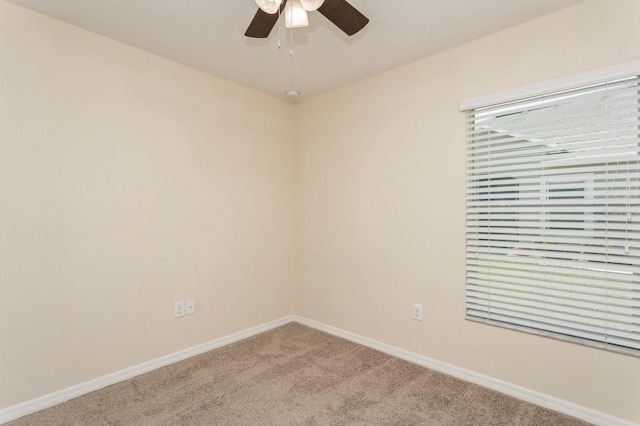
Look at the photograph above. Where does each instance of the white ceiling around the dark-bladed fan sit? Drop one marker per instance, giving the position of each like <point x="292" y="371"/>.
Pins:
<point x="209" y="35"/>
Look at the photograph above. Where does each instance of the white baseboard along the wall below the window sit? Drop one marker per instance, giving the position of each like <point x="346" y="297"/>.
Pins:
<point x="534" y="397"/>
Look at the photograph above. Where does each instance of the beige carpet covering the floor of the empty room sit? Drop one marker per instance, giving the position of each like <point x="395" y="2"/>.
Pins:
<point x="295" y="375"/>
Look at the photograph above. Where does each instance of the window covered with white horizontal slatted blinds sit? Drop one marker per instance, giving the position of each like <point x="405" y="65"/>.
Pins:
<point x="553" y="213"/>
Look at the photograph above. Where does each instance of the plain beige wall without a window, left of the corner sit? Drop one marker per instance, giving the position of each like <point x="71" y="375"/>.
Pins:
<point x="128" y="182"/>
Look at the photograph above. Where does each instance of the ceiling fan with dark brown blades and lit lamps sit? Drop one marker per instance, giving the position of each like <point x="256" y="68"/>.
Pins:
<point x="340" y="12"/>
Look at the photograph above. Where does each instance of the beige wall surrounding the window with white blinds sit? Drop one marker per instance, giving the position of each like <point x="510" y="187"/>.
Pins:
<point x="381" y="197"/>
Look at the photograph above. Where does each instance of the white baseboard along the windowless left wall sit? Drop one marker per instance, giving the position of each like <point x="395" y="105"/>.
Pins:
<point x="46" y="401"/>
